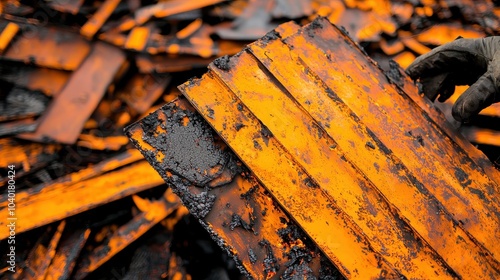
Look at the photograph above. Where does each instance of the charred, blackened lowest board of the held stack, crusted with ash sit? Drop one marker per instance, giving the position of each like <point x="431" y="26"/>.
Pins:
<point x="240" y="218"/>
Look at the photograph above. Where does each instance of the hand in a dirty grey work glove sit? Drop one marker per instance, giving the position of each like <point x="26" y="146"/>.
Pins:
<point x="474" y="62"/>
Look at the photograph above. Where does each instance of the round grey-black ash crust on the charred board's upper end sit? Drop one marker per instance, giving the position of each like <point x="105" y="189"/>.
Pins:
<point x="188" y="147"/>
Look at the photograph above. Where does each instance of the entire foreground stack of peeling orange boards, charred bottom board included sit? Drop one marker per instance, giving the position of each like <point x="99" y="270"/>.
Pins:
<point x="365" y="167"/>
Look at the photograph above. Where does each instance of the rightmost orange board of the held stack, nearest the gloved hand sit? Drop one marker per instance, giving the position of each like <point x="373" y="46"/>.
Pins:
<point x="447" y="172"/>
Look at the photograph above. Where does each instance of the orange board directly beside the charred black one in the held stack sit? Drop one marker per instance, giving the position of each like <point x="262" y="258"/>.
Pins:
<point x="286" y="181"/>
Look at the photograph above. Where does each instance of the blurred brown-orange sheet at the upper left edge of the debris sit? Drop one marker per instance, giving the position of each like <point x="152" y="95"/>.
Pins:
<point x="48" y="47"/>
